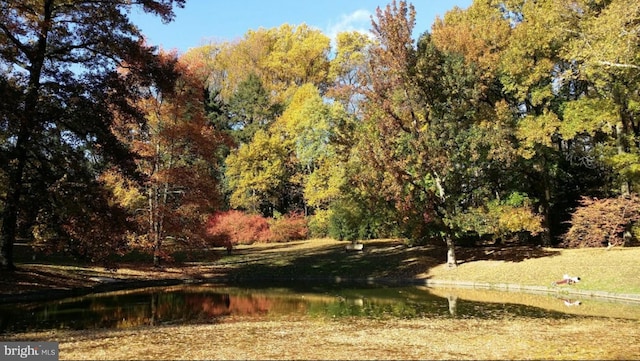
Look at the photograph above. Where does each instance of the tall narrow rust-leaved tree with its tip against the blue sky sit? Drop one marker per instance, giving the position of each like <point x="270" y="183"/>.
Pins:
<point x="399" y="115"/>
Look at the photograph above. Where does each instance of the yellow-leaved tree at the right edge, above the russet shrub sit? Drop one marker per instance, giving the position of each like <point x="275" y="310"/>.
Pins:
<point x="606" y="50"/>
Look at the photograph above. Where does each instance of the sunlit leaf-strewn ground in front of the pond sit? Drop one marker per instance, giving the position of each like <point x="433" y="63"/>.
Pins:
<point x="325" y="339"/>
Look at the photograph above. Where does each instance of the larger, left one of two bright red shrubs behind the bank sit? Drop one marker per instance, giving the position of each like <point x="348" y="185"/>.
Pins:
<point x="235" y="227"/>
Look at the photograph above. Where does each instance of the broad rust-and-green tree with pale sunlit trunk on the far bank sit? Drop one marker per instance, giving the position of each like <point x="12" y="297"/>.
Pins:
<point x="430" y="132"/>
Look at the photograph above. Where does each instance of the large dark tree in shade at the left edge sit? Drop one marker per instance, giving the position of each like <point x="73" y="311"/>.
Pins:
<point x="59" y="60"/>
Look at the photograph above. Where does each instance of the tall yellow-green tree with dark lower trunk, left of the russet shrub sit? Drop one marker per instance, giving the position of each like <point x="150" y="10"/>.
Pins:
<point x="529" y="70"/>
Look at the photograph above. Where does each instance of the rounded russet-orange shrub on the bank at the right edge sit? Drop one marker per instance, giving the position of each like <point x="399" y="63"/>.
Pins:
<point x="600" y="222"/>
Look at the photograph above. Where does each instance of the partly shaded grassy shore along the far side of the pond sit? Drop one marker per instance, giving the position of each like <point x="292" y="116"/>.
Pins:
<point x="607" y="275"/>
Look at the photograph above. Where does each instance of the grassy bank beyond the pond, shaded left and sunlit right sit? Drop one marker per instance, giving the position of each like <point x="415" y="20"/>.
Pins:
<point x="612" y="271"/>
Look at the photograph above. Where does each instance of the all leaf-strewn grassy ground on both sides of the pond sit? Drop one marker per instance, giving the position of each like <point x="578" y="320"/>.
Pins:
<point x="615" y="271"/>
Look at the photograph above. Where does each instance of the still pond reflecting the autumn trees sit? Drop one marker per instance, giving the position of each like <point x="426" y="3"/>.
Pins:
<point x="209" y="303"/>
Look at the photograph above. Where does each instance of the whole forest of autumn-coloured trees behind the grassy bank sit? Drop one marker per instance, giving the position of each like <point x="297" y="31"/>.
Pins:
<point x="508" y="121"/>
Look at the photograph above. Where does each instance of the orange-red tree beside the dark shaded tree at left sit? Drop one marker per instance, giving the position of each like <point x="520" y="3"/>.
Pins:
<point x="177" y="154"/>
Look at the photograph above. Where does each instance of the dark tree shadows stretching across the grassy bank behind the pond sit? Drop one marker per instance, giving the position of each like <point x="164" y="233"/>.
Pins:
<point x="381" y="260"/>
